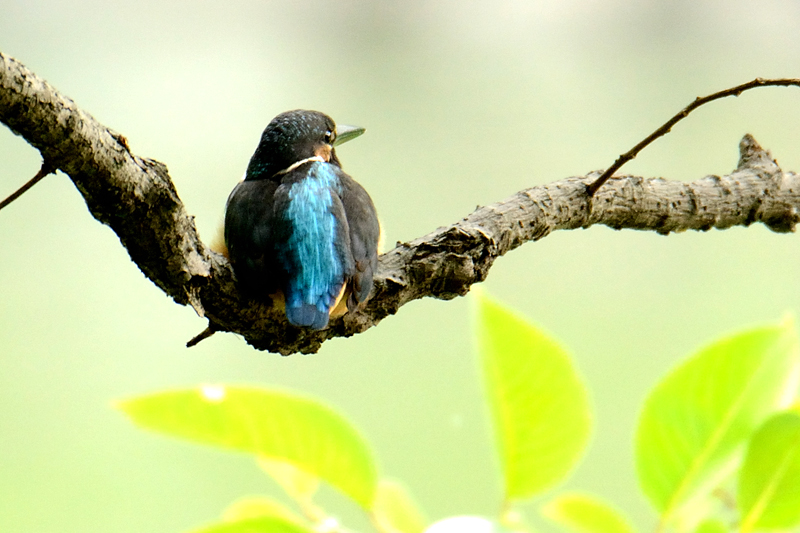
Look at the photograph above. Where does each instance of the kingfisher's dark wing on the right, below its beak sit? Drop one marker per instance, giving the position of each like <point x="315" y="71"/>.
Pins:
<point x="365" y="231"/>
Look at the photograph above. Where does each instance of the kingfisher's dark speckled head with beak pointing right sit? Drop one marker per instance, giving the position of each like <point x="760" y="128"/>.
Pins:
<point x="295" y="136"/>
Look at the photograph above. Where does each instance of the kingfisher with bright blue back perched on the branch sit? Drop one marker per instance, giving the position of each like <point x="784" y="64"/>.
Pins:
<point x="298" y="230"/>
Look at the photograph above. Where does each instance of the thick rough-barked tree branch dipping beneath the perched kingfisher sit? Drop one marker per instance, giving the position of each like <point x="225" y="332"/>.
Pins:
<point x="136" y="198"/>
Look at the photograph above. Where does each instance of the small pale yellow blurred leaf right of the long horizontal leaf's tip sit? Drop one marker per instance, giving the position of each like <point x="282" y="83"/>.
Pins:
<point x="395" y="510"/>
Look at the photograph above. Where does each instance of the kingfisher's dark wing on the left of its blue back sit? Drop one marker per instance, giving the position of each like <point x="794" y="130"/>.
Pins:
<point x="252" y="231"/>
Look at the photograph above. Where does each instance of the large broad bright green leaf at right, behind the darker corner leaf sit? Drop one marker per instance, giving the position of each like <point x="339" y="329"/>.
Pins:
<point x="695" y="422"/>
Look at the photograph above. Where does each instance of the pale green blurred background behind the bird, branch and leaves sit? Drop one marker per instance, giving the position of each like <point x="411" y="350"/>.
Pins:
<point x="465" y="103"/>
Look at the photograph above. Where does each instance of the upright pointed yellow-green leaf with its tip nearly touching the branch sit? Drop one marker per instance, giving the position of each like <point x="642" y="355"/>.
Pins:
<point x="538" y="402"/>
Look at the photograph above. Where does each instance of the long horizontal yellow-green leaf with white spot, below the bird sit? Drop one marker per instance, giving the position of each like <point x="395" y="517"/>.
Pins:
<point x="299" y="430"/>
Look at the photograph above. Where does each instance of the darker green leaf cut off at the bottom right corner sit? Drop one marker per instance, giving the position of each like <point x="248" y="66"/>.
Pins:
<point x="769" y="482"/>
